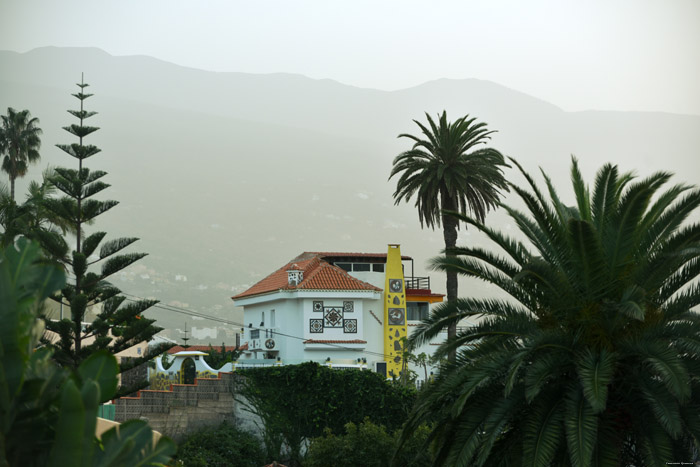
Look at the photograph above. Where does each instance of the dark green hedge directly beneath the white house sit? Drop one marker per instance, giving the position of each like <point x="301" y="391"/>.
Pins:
<point x="316" y="397"/>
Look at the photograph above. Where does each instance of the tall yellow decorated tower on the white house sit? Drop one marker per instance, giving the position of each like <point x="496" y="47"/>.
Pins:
<point x="394" y="312"/>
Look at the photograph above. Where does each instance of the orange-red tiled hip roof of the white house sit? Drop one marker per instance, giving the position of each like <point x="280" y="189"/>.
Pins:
<point x="318" y="275"/>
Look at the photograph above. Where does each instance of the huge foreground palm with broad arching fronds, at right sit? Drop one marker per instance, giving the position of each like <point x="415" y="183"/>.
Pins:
<point x="594" y="356"/>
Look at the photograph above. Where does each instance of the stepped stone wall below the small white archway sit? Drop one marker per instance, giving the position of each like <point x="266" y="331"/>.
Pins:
<point x="187" y="407"/>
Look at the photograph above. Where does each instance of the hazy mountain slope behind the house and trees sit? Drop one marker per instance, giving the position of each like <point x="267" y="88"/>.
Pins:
<point x="225" y="176"/>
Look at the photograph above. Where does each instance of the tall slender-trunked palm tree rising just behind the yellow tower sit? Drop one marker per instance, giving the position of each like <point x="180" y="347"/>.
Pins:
<point x="448" y="170"/>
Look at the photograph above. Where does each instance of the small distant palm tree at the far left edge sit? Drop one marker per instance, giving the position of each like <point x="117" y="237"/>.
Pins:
<point x="20" y="143"/>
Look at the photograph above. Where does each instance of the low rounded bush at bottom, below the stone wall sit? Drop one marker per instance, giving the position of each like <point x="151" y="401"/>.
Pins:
<point x="223" y="446"/>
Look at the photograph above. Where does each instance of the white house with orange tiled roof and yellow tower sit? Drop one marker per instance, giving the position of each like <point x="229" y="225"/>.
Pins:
<point x="349" y="310"/>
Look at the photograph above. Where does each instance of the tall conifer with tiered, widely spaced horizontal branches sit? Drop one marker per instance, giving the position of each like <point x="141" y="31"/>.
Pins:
<point x="117" y="325"/>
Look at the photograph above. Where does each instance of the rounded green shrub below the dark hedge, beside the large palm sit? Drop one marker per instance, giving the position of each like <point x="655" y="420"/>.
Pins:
<point x="368" y="445"/>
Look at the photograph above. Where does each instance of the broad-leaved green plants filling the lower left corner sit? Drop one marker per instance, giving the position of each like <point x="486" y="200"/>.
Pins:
<point x="48" y="414"/>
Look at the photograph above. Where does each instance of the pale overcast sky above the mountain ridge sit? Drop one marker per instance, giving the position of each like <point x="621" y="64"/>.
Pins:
<point x="579" y="55"/>
